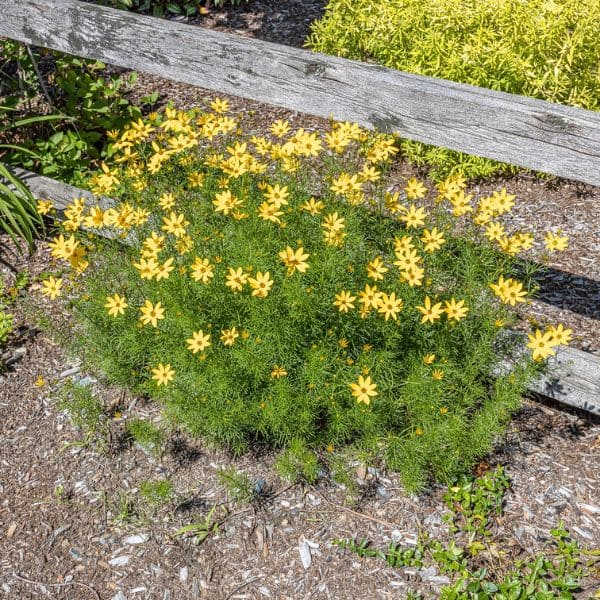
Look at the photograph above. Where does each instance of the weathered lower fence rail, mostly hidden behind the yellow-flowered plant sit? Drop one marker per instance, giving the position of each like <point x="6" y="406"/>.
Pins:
<point x="572" y="377"/>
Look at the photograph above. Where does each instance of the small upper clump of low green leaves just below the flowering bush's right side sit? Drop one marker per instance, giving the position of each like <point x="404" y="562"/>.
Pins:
<point x="474" y="502"/>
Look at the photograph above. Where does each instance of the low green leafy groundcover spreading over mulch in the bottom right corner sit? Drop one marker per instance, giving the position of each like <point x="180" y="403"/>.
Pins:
<point x="557" y="572"/>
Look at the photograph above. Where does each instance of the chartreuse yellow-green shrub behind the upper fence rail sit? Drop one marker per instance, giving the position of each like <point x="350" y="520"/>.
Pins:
<point x="548" y="49"/>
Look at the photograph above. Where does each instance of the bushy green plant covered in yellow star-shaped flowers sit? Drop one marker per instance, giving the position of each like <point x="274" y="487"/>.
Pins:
<point x="282" y="289"/>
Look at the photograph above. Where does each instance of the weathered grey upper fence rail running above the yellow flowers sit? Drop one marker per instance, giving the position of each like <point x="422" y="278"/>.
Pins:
<point x="526" y="132"/>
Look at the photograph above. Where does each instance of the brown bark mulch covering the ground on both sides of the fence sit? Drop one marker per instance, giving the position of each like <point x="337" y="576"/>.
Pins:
<point x="73" y="525"/>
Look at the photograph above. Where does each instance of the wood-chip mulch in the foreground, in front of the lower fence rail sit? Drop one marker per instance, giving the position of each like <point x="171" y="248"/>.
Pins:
<point x="61" y="500"/>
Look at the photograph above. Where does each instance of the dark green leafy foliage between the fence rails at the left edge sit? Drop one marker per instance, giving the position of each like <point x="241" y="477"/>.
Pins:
<point x="85" y="103"/>
